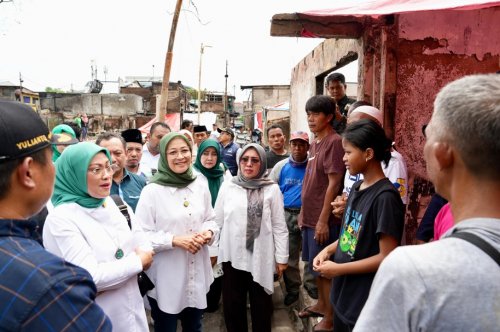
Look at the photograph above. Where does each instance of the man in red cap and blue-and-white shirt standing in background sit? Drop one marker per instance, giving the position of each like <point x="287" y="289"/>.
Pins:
<point x="289" y="174"/>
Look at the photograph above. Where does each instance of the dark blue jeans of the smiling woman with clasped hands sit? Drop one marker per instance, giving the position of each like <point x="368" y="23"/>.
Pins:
<point x="190" y="319"/>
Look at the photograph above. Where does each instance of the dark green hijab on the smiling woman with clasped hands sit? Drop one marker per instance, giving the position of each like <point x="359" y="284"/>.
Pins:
<point x="165" y="176"/>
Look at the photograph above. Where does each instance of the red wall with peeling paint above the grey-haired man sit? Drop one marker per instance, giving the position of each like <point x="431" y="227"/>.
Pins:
<point x="435" y="48"/>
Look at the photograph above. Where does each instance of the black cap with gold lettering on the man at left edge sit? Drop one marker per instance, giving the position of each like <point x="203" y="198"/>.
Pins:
<point x="22" y="131"/>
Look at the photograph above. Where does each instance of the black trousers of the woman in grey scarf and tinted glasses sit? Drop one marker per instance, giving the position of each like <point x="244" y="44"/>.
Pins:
<point x="235" y="286"/>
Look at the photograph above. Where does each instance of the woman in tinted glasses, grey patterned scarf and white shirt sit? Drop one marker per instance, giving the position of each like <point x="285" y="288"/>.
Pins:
<point x="253" y="242"/>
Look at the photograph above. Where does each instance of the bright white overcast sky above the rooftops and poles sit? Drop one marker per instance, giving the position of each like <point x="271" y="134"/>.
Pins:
<point x="52" y="42"/>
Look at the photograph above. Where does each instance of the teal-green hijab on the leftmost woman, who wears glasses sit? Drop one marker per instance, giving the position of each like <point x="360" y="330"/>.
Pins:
<point x="71" y="175"/>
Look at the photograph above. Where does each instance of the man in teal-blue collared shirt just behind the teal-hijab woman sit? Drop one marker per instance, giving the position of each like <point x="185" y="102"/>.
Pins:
<point x="126" y="184"/>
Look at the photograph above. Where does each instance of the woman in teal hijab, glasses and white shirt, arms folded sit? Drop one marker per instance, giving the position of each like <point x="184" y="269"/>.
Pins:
<point x="87" y="229"/>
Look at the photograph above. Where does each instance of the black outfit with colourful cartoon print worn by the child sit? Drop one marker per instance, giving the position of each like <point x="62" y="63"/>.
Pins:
<point x="369" y="212"/>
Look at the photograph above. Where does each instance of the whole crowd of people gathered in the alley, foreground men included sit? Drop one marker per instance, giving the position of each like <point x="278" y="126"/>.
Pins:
<point x="92" y="234"/>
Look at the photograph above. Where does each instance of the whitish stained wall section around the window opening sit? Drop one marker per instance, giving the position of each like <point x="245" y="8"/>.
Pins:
<point x="331" y="54"/>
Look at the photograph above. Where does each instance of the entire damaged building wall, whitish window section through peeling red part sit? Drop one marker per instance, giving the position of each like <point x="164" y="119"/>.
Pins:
<point x="402" y="67"/>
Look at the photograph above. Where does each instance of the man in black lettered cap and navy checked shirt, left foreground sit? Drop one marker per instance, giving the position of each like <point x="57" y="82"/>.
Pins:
<point x="38" y="290"/>
